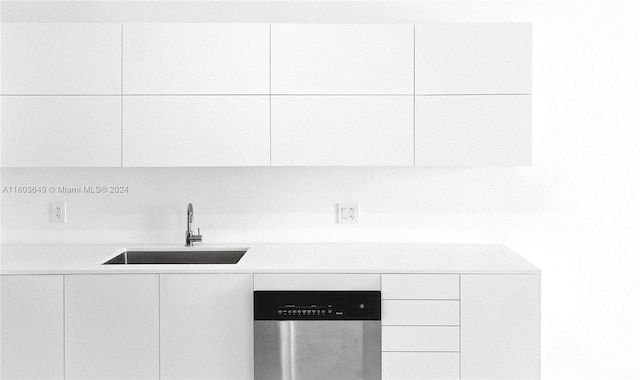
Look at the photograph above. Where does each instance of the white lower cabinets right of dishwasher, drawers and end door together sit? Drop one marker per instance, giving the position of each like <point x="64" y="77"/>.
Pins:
<point x="491" y="332"/>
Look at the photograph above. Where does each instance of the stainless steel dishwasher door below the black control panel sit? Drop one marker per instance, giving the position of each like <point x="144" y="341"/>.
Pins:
<point x="317" y="349"/>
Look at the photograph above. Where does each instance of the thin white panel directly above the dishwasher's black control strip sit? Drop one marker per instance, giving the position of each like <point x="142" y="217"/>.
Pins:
<point x="291" y="281"/>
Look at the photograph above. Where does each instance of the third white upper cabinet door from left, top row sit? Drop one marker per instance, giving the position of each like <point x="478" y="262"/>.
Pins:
<point x="342" y="59"/>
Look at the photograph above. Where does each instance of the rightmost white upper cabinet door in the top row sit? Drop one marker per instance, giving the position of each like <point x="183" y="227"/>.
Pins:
<point x="483" y="58"/>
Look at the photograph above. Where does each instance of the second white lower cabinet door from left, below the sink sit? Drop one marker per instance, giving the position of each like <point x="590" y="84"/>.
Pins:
<point x="111" y="326"/>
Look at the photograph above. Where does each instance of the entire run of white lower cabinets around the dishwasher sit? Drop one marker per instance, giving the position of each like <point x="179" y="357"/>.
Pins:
<point x="195" y="326"/>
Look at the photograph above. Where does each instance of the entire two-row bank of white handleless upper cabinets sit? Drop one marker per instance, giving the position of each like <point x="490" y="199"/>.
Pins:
<point x="215" y="94"/>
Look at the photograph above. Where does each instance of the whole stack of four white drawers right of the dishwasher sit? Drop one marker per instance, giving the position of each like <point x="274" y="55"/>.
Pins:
<point x="420" y="326"/>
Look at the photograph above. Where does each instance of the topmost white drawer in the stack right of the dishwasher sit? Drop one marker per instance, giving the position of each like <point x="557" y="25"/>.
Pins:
<point x="420" y="286"/>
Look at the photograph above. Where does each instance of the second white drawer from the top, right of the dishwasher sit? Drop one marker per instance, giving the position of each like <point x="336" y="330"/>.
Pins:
<point x="420" y="312"/>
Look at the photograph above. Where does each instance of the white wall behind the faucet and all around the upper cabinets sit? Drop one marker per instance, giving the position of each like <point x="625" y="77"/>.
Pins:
<point x="575" y="212"/>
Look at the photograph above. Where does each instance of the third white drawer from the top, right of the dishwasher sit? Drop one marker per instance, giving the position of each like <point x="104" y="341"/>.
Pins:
<point x="421" y="338"/>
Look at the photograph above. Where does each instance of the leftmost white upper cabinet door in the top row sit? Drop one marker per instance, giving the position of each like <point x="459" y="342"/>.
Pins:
<point x="61" y="59"/>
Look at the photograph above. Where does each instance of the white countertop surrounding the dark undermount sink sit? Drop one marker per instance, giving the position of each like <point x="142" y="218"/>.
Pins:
<point x="278" y="258"/>
